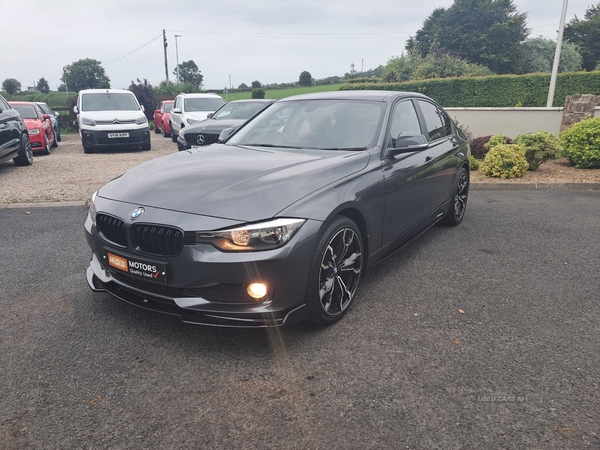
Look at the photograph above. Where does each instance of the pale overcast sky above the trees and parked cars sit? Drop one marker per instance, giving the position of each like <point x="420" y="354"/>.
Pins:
<point x="231" y="41"/>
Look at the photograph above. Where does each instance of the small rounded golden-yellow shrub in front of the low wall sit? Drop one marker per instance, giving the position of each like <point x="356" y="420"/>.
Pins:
<point x="505" y="161"/>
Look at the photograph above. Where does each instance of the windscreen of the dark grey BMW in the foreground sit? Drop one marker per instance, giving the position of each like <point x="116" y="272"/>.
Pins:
<point x="315" y="124"/>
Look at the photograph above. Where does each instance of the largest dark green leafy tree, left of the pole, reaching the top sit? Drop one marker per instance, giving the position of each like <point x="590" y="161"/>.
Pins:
<point x="484" y="32"/>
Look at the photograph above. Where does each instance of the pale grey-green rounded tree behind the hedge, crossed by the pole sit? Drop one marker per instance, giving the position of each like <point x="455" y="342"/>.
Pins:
<point x="537" y="55"/>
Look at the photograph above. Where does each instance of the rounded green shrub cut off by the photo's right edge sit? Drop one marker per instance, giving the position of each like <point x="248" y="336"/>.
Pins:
<point x="581" y="143"/>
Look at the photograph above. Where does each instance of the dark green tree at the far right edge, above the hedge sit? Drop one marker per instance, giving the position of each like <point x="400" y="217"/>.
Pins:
<point x="586" y="35"/>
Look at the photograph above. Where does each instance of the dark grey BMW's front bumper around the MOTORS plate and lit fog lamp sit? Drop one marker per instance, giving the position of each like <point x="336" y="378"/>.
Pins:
<point x="204" y="285"/>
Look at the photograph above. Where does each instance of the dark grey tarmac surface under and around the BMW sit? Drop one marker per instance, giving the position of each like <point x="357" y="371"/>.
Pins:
<point x="475" y="337"/>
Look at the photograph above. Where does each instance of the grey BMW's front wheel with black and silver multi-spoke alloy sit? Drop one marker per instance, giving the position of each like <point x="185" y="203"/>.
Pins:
<point x="335" y="272"/>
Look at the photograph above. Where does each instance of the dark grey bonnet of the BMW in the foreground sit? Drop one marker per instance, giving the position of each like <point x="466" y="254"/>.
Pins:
<point x="237" y="183"/>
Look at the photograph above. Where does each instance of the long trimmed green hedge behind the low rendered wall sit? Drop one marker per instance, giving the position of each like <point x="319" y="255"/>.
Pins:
<point x="497" y="91"/>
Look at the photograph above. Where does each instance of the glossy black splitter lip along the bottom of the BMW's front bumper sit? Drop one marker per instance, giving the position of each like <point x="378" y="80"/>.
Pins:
<point x="99" y="281"/>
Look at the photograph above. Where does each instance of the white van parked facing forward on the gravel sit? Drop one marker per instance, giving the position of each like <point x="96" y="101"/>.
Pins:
<point x="110" y="118"/>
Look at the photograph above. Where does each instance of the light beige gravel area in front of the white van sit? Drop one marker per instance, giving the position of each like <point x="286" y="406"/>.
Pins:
<point x="68" y="174"/>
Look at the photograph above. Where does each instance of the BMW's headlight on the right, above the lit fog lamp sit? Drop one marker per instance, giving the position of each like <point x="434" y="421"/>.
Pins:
<point x="254" y="237"/>
